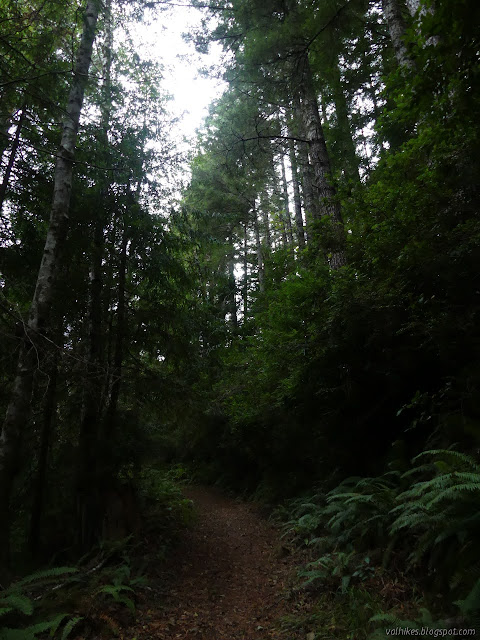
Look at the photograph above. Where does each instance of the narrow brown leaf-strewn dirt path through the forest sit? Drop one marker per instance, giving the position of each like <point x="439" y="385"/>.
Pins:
<point x="228" y="581"/>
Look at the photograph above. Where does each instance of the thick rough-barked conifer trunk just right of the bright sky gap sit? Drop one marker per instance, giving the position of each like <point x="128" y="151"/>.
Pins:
<point x="324" y="191"/>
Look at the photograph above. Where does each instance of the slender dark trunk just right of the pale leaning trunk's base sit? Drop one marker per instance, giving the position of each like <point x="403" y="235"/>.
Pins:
<point x="45" y="441"/>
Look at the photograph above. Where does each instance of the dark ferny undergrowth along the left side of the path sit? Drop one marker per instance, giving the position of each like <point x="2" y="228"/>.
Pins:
<point x="97" y="596"/>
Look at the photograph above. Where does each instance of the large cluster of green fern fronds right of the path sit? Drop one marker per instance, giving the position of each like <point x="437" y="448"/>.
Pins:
<point x="430" y="515"/>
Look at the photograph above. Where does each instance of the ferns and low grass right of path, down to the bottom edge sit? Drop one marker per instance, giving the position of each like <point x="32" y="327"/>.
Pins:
<point x="397" y="550"/>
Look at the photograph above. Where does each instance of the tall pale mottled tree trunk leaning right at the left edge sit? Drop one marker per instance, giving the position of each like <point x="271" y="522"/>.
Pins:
<point x="19" y="407"/>
